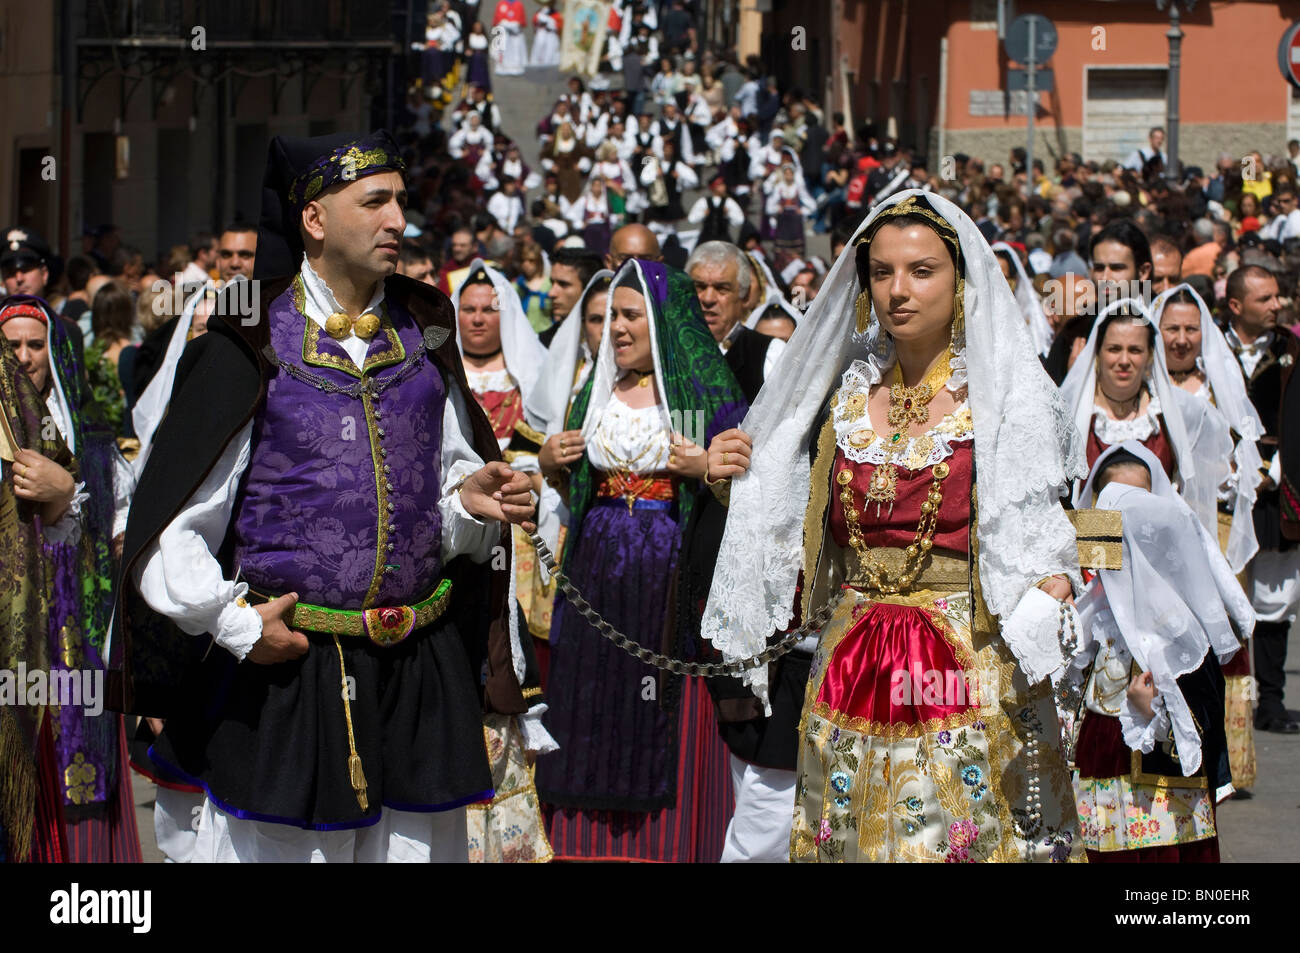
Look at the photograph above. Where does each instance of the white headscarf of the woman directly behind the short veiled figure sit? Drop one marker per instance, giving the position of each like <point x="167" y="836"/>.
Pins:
<point x="1202" y="441"/>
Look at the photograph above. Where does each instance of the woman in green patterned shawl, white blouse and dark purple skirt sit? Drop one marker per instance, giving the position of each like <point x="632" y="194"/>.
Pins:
<point x="642" y="773"/>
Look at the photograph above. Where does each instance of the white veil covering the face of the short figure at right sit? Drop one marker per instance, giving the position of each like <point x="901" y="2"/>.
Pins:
<point x="1175" y="600"/>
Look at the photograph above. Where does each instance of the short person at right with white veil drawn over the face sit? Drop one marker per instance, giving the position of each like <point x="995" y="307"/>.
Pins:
<point x="1151" y="744"/>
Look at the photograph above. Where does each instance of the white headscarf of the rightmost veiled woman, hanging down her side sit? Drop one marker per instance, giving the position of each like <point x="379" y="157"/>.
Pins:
<point x="1224" y="376"/>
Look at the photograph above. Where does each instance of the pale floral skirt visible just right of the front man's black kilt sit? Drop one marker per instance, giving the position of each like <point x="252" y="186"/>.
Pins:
<point x="509" y="829"/>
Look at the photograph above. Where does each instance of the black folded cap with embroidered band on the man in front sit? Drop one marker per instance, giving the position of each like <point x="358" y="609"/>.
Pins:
<point x="298" y="171"/>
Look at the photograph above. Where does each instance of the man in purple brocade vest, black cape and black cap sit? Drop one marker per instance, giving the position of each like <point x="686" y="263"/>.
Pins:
<point x="319" y="471"/>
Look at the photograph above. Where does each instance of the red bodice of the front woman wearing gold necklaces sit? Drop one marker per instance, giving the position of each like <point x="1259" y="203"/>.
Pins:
<point x="898" y="527"/>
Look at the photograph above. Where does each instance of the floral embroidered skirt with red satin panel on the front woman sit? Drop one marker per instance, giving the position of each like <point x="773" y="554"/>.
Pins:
<point x="913" y="743"/>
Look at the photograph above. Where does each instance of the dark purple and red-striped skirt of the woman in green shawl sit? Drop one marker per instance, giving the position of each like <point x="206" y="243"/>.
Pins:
<point x="632" y="781"/>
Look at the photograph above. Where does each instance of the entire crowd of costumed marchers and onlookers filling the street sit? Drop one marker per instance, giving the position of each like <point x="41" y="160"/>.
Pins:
<point x="289" y="499"/>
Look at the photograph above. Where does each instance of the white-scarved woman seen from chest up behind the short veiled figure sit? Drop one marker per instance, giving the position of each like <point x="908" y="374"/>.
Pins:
<point x="1120" y="389"/>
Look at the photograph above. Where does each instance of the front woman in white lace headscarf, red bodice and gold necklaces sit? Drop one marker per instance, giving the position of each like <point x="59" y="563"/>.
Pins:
<point x="933" y="505"/>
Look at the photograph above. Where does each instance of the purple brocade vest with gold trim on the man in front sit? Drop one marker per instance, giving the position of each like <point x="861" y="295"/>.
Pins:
<point x="341" y="501"/>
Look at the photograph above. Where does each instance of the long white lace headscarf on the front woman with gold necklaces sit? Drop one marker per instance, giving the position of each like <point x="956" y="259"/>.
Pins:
<point x="1026" y="453"/>
